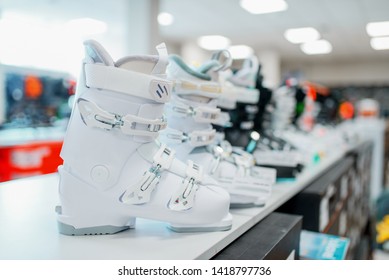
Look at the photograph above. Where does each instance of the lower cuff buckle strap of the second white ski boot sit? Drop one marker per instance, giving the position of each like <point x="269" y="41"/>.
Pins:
<point x="196" y="138"/>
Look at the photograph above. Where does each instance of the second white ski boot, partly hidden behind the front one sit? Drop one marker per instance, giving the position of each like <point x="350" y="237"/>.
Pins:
<point x="190" y="113"/>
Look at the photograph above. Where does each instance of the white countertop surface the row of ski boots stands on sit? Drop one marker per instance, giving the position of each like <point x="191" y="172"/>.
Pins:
<point x="28" y="227"/>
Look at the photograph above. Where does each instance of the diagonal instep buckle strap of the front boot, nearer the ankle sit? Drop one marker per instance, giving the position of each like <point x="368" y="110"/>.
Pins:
<point x="140" y="192"/>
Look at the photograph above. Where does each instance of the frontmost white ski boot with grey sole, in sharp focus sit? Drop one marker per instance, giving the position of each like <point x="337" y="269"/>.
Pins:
<point x="114" y="169"/>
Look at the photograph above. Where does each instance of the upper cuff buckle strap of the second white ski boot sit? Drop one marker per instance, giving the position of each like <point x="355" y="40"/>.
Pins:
<point x="200" y="114"/>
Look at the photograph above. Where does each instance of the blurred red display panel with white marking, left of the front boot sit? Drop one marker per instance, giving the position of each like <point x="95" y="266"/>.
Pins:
<point x="33" y="158"/>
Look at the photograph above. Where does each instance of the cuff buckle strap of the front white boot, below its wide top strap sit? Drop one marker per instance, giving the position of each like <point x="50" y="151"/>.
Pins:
<point x="94" y="116"/>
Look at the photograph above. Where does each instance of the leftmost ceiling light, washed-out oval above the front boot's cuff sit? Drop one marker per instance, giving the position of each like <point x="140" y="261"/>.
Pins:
<point x="86" y="26"/>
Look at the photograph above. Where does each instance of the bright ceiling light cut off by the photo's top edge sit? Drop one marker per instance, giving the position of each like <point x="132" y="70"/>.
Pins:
<point x="263" y="6"/>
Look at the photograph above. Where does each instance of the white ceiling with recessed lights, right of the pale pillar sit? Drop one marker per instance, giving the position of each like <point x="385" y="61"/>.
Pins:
<point x="342" y="22"/>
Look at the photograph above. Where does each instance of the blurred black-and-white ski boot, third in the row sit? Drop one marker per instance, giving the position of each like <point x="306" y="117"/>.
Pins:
<point x="257" y="124"/>
